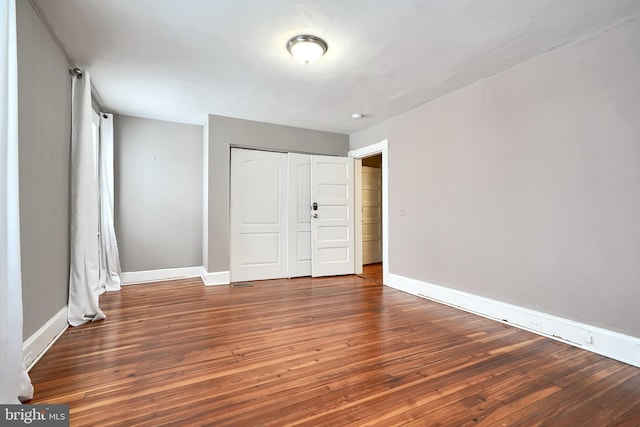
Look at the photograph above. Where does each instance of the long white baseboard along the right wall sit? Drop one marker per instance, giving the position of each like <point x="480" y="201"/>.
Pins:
<point x="607" y="343"/>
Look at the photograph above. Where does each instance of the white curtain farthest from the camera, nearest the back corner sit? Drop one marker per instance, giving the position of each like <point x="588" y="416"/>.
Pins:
<point x="109" y="257"/>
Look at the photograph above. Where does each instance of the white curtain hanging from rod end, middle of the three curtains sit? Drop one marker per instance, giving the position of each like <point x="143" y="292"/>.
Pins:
<point x="84" y="276"/>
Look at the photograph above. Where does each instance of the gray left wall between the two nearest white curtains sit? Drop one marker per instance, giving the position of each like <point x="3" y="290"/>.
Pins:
<point x="44" y="96"/>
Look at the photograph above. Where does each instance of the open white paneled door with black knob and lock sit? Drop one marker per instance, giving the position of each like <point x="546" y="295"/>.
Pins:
<point x="332" y="222"/>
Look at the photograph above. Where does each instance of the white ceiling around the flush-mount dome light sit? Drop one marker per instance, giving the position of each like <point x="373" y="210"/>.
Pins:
<point x="179" y="60"/>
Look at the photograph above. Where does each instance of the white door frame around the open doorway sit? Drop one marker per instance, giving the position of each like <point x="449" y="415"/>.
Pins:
<point x="381" y="147"/>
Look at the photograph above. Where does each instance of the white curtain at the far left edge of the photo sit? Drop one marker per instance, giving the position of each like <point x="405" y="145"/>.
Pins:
<point x="15" y="384"/>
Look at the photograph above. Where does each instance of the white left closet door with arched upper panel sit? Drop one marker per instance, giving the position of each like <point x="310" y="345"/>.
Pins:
<point x="258" y="215"/>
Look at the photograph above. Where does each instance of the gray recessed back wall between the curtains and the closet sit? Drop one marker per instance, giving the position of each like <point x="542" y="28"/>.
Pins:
<point x="158" y="193"/>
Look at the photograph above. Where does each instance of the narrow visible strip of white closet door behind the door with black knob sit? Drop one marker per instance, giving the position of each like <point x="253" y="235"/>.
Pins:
<point x="299" y="215"/>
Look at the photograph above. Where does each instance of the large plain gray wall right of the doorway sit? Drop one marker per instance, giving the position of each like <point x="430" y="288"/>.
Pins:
<point x="525" y="187"/>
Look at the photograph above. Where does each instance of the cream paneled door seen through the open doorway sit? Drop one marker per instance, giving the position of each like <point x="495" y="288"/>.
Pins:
<point x="371" y="215"/>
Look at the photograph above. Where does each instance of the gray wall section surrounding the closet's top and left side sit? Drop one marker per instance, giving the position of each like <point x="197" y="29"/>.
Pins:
<point x="225" y="132"/>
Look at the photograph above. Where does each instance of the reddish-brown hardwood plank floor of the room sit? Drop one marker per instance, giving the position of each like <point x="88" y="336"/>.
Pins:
<point x="320" y="352"/>
